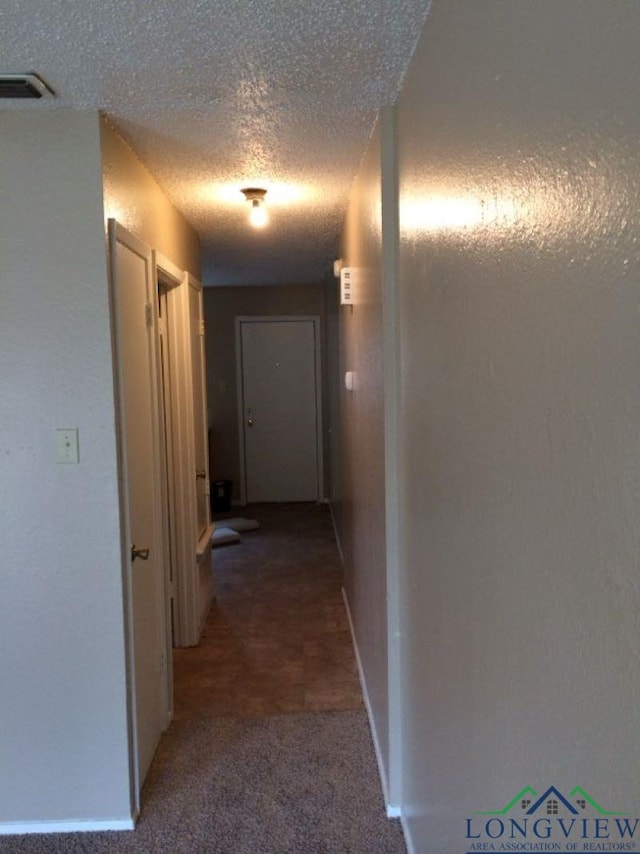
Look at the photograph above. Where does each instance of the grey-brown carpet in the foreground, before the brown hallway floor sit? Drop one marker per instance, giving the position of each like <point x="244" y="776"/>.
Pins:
<point x="288" y="784"/>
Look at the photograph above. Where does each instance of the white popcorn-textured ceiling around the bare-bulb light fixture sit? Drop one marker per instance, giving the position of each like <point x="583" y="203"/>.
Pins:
<point x="218" y="95"/>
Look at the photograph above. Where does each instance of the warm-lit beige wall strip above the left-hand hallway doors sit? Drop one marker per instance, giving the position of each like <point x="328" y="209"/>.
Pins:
<point x="132" y="196"/>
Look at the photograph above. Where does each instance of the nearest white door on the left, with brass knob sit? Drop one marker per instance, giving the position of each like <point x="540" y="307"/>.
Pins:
<point x="133" y="295"/>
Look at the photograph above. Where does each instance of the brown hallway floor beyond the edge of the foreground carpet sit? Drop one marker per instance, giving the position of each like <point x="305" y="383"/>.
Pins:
<point x="277" y="639"/>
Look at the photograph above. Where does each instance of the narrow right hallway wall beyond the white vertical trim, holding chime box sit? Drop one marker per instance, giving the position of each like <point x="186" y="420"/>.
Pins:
<point x="362" y="505"/>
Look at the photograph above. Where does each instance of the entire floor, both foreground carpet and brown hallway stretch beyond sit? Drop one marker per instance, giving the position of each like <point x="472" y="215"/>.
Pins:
<point x="270" y="750"/>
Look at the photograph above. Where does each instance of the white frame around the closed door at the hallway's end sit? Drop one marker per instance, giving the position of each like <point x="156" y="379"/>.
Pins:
<point x="286" y="318"/>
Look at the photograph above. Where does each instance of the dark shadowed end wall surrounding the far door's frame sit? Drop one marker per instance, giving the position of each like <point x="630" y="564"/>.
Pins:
<point x="222" y="306"/>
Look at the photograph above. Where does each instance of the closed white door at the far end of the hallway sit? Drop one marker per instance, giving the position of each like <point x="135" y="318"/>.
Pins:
<point x="280" y="408"/>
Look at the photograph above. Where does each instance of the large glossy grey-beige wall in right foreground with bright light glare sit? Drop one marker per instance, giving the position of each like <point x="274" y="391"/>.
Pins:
<point x="520" y="272"/>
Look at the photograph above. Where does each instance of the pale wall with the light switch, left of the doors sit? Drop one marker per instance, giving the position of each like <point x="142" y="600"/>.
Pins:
<point x="62" y="666"/>
